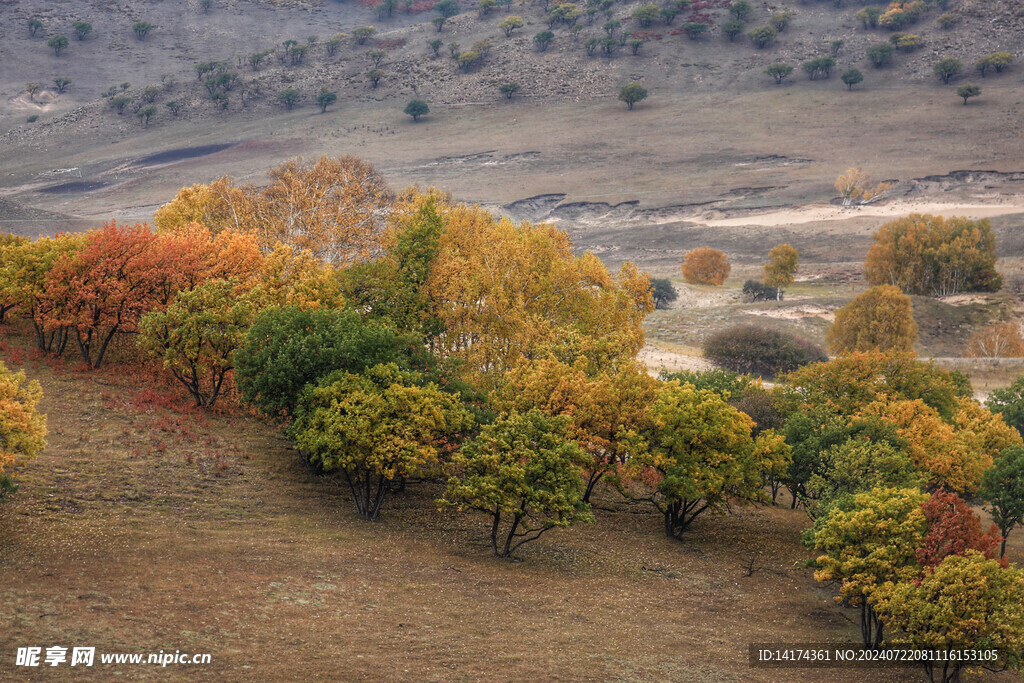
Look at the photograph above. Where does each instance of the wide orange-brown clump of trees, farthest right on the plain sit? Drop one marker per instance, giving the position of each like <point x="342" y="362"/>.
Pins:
<point x="934" y="257"/>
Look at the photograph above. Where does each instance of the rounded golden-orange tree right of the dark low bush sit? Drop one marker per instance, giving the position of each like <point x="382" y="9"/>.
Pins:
<point x="881" y="319"/>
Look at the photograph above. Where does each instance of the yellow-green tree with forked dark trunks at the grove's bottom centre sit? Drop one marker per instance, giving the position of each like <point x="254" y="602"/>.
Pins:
<point x="525" y="473"/>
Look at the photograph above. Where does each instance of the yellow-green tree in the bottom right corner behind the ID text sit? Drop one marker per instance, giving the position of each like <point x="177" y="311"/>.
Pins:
<point x="964" y="602"/>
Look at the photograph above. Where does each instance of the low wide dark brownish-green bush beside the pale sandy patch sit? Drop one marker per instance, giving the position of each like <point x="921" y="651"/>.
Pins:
<point x="760" y="351"/>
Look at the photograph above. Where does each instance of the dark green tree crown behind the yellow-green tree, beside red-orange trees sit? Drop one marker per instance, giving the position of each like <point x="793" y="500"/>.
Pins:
<point x="288" y="349"/>
